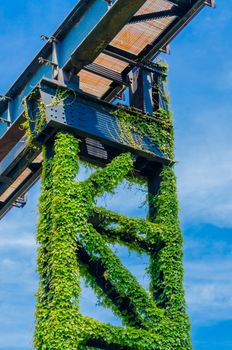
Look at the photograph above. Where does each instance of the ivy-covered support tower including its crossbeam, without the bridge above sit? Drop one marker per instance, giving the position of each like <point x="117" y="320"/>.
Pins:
<point x="74" y="235"/>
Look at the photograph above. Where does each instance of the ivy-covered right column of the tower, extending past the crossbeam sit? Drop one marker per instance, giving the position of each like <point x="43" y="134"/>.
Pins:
<point x="166" y="263"/>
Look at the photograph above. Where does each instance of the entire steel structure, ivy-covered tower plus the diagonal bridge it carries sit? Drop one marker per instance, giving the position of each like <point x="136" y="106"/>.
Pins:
<point x="65" y="102"/>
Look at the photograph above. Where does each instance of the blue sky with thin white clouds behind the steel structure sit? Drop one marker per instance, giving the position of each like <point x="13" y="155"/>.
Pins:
<point x="201" y="88"/>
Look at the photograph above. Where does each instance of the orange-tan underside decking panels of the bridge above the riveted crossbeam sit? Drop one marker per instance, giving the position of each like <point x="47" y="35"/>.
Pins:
<point x="133" y="38"/>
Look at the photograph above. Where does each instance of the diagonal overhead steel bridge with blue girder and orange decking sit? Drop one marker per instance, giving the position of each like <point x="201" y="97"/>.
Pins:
<point x="94" y="55"/>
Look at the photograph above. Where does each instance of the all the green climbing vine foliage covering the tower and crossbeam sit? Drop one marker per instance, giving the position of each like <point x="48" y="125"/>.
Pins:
<point x="74" y="239"/>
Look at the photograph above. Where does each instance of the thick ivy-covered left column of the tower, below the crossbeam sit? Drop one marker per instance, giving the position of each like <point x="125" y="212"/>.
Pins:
<point x="59" y="289"/>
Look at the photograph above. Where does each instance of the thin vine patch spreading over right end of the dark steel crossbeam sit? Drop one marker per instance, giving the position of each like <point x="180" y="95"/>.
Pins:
<point x="134" y="126"/>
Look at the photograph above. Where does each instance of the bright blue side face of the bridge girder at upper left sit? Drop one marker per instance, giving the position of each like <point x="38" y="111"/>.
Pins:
<point x="69" y="36"/>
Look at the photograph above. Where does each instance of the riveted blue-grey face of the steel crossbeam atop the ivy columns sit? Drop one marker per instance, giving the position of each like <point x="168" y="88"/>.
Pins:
<point x="90" y="117"/>
